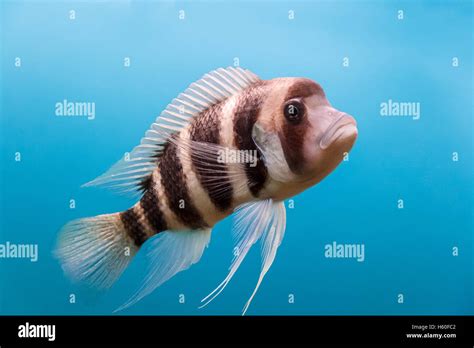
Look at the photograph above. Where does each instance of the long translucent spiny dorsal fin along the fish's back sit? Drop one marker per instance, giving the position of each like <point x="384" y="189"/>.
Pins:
<point x="129" y="174"/>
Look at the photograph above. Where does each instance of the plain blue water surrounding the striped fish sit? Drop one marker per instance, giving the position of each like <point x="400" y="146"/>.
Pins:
<point x="408" y="251"/>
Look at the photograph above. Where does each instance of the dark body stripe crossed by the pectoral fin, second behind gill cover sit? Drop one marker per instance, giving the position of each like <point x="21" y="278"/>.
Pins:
<point x="206" y="128"/>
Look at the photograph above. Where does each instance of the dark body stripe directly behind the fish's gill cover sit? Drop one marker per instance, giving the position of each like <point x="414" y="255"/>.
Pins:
<point x="245" y="116"/>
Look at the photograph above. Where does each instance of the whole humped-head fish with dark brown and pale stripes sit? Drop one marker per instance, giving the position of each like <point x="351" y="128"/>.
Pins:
<point x="230" y="144"/>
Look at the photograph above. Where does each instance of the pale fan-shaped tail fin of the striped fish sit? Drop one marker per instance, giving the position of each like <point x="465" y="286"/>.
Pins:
<point x="95" y="250"/>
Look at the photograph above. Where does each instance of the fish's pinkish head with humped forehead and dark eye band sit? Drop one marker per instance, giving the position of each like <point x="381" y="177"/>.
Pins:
<point x="301" y="136"/>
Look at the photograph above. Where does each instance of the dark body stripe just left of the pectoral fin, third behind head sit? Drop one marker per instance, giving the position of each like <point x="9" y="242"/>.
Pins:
<point x="174" y="183"/>
